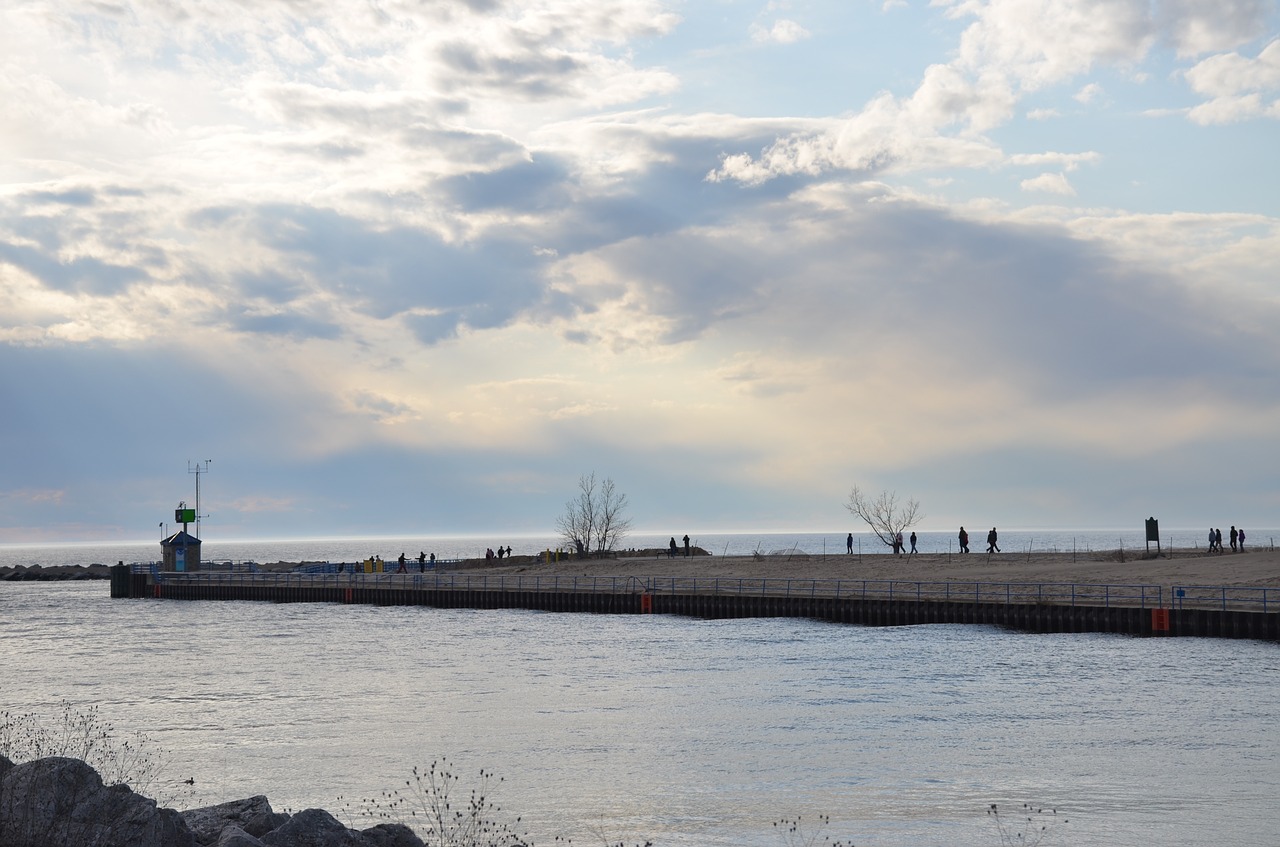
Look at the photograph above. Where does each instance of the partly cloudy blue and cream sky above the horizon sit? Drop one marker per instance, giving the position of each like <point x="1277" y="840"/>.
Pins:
<point x="409" y="267"/>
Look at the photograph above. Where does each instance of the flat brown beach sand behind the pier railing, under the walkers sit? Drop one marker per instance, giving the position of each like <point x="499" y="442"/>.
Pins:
<point x="1259" y="567"/>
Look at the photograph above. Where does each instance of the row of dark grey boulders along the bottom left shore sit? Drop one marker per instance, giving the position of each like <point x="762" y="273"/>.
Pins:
<point x="60" y="802"/>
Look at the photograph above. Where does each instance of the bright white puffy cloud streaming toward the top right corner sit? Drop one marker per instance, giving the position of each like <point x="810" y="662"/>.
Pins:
<point x="1011" y="49"/>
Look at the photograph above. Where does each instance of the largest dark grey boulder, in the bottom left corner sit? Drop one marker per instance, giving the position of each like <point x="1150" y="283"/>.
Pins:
<point x="57" y="802"/>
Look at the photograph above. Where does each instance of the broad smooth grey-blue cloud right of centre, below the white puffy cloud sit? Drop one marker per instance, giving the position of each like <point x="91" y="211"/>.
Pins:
<point x="1064" y="313"/>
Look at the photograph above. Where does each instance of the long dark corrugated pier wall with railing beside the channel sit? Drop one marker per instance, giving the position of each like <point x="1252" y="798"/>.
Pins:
<point x="1128" y="610"/>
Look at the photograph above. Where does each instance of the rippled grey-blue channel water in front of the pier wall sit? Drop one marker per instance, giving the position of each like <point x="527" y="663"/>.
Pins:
<point x="683" y="731"/>
